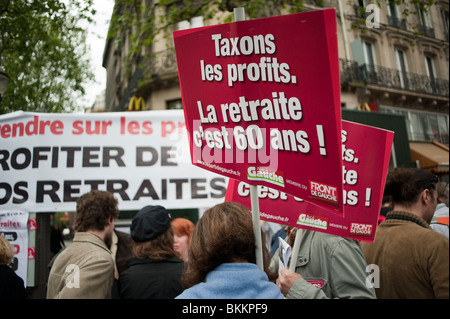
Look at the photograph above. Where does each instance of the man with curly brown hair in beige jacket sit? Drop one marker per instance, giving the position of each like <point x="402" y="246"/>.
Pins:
<point x="85" y="269"/>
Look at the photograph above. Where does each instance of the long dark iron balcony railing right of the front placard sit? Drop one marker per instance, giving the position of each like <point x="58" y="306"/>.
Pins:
<point x="350" y="72"/>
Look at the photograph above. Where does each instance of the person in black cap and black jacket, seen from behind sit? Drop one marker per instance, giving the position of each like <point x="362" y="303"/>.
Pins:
<point x="155" y="271"/>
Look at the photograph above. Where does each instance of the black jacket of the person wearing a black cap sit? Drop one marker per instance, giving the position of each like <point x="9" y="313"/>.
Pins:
<point x="151" y="279"/>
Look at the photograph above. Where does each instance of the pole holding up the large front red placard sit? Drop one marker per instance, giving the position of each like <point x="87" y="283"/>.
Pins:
<point x="239" y="15"/>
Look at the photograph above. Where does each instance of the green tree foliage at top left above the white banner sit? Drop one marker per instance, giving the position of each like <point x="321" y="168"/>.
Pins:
<point x="43" y="51"/>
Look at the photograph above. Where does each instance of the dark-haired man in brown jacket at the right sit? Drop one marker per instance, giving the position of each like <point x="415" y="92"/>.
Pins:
<point x="413" y="259"/>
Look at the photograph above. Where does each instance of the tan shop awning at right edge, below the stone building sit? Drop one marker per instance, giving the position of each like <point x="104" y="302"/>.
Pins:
<point x="432" y="156"/>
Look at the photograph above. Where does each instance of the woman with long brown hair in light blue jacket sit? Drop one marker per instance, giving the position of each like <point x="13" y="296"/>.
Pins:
<point x="222" y="258"/>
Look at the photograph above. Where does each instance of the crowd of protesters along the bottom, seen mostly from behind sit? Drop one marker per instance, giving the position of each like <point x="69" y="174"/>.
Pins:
<point x="163" y="258"/>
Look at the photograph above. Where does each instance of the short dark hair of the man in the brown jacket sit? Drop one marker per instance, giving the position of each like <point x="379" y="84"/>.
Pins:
<point x="404" y="185"/>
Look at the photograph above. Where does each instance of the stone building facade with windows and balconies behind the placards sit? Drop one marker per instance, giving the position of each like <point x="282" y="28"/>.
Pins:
<point x="392" y="64"/>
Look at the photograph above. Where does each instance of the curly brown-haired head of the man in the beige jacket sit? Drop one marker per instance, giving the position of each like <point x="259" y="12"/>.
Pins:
<point x="94" y="210"/>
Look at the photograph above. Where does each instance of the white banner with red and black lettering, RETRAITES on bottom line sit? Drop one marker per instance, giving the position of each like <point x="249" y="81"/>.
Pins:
<point x="48" y="160"/>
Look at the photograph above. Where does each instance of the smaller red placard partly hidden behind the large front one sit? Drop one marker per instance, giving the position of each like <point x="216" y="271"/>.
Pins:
<point x="366" y="153"/>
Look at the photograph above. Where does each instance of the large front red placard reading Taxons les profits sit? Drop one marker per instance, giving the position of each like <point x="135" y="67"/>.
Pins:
<point x="262" y="103"/>
